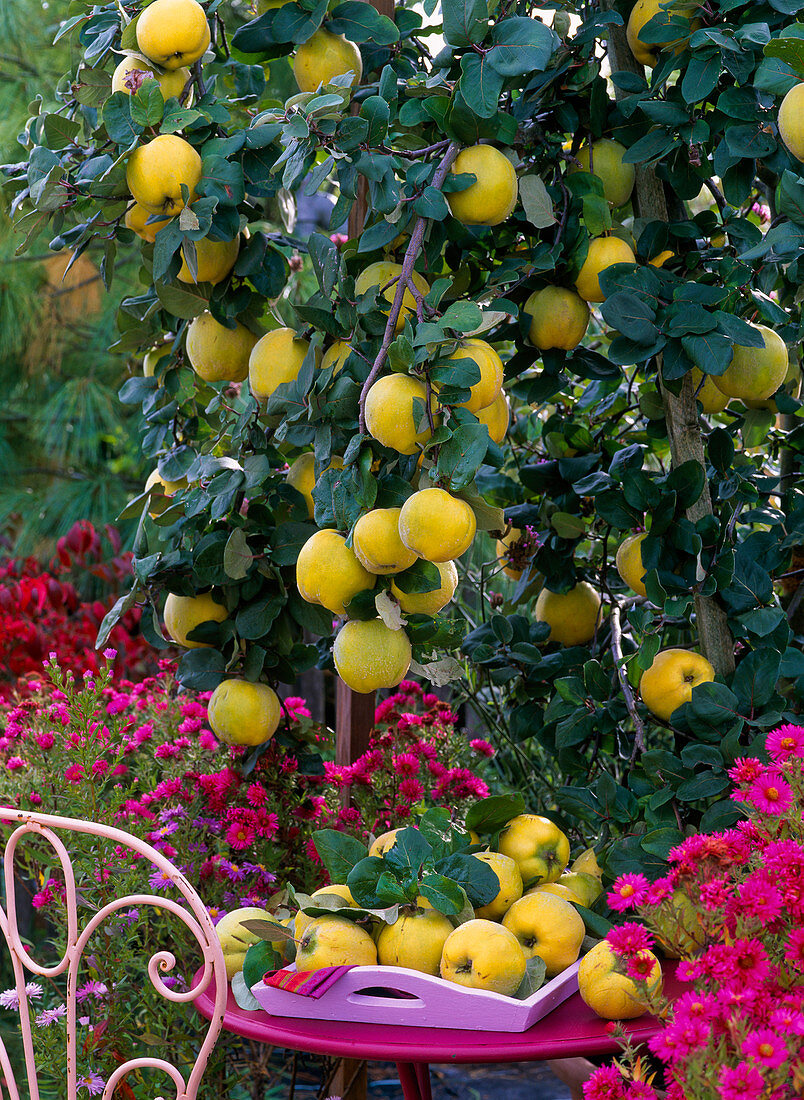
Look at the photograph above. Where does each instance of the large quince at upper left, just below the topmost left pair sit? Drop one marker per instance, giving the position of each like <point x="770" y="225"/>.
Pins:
<point x="157" y="171"/>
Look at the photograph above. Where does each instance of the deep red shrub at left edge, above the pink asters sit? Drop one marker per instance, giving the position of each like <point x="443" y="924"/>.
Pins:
<point x="60" y="607"/>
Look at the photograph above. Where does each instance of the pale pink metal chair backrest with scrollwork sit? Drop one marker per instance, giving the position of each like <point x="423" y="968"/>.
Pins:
<point x="192" y="914"/>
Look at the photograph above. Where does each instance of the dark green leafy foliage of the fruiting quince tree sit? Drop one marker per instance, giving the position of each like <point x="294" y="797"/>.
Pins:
<point x="604" y="439"/>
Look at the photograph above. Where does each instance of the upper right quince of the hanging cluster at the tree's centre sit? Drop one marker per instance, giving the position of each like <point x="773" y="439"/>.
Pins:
<point x="436" y="525"/>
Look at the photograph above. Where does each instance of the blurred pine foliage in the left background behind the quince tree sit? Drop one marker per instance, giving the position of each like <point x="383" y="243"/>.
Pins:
<point x="67" y="448"/>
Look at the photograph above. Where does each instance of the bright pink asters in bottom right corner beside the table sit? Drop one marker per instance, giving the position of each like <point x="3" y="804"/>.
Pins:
<point x="733" y="906"/>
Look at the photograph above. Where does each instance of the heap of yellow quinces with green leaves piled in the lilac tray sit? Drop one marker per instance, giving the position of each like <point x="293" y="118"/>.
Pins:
<point x="490" y="905"/>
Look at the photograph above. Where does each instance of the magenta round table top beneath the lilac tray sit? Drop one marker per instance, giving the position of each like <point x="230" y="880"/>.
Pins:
<point x="572" y="1030"/>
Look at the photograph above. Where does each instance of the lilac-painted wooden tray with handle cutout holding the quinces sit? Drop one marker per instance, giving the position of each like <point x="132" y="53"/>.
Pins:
<point x="370" y="995"/>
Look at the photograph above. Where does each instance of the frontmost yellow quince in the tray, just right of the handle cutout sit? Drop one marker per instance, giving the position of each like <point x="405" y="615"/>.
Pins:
<point x="483" y="955"/>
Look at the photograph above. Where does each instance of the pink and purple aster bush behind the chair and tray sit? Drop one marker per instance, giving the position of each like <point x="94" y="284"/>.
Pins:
<point x="140" y="756"/>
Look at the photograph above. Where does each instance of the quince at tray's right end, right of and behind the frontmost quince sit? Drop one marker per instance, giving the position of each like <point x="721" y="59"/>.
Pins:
<point x="548" y="927"/>
